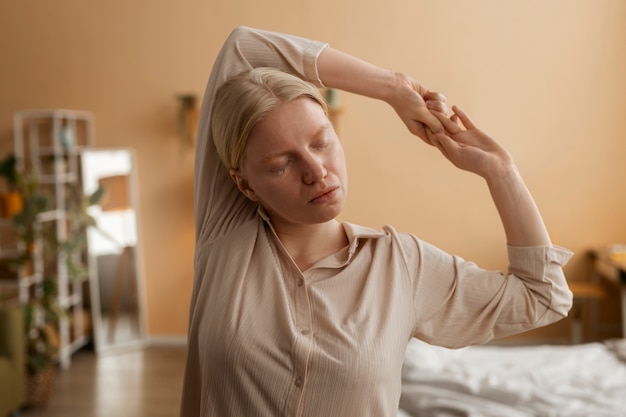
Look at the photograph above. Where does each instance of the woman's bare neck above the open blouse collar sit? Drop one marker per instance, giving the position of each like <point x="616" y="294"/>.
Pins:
<point x="310" y="243"/>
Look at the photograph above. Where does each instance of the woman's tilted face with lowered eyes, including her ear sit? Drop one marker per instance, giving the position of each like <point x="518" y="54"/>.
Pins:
<point x="294" y="165"/>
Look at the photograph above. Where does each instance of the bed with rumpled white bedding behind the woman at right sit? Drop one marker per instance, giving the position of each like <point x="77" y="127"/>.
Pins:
<point x="586" y="380"/>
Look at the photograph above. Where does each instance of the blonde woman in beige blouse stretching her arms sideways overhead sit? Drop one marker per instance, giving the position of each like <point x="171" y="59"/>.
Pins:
<point x="294" y="313"/>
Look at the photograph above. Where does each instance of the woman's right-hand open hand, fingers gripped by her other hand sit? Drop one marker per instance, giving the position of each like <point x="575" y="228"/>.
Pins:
<point x="469" y="148"/>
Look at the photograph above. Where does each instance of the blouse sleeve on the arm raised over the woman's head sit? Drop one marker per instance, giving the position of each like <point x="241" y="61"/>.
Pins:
<point x="219" y="206"/>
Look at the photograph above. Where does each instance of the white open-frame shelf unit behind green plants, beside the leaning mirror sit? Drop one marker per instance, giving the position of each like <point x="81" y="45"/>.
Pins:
<point x="48" y="144"/>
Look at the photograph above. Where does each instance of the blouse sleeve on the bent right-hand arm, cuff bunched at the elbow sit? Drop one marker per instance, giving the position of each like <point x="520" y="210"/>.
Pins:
<point x="458" y="304"/>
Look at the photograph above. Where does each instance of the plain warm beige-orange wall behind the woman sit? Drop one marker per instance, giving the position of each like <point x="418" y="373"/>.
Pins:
<point x="544" y="77"/>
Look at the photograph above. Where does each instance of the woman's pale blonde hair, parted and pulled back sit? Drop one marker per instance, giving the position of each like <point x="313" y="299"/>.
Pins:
<point x="244" y="100"/>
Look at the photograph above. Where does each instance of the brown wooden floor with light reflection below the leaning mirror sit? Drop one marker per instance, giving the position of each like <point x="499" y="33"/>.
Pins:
<point x="138" y="383"/>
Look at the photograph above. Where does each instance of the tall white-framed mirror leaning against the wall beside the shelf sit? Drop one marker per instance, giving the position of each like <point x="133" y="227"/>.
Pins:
<point x="114" y="249"/>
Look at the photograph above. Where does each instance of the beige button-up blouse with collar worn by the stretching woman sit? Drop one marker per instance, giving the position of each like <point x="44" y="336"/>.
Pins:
<point x="266" y="339"/>
